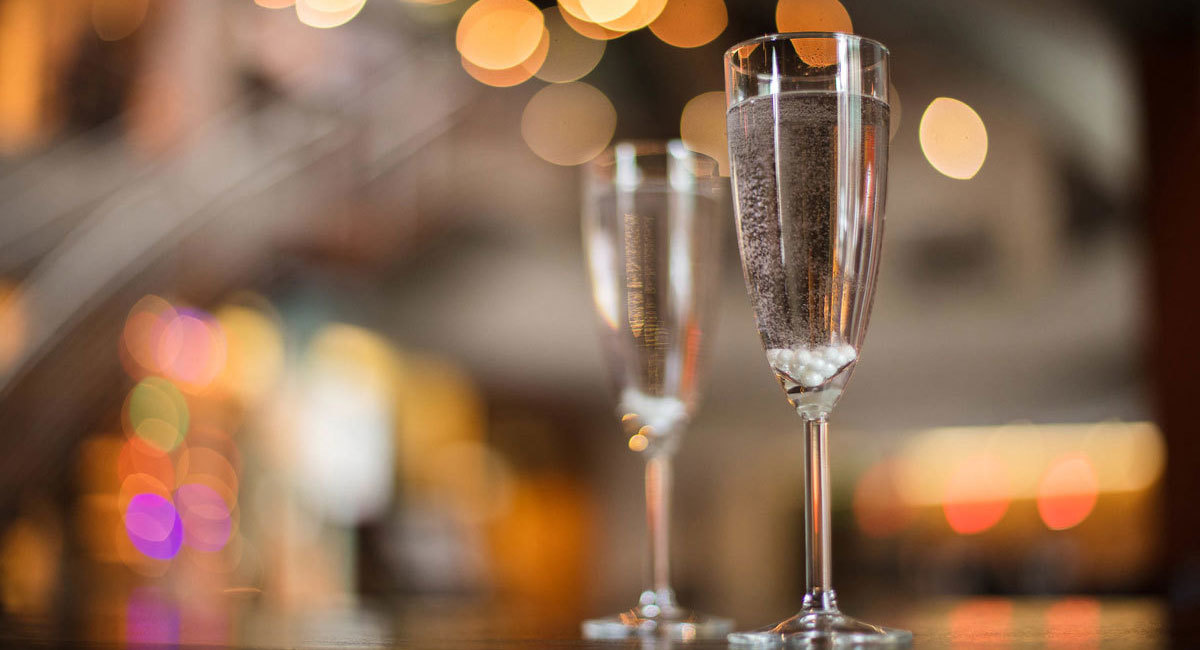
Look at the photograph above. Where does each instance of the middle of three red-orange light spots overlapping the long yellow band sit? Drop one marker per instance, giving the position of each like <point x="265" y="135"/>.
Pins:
<point x="977" y="496"/>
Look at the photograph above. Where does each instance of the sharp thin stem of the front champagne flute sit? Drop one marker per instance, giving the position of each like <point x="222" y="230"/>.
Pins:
<point x="819" y="593"/>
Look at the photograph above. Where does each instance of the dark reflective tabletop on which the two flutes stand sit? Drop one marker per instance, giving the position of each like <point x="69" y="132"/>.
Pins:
<point x="1059" y="623"/>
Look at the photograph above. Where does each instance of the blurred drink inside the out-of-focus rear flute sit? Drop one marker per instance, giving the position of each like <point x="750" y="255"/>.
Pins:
<point x="652" y="258"/>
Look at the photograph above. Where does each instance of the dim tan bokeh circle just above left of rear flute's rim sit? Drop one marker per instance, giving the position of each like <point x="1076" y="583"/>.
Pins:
<point x="568" y="124"/>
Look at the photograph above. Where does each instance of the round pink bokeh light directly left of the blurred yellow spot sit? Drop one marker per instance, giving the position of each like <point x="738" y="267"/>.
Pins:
<point x="191" y="350"/>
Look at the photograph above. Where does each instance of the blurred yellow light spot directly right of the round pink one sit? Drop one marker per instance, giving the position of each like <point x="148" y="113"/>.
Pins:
<point x="254" y="351"/>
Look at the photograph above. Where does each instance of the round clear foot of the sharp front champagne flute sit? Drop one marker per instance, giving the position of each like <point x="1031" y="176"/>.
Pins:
<point x="824" y="629"/>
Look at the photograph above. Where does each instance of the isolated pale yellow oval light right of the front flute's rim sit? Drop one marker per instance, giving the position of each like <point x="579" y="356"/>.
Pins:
<point x="953" y="139"/>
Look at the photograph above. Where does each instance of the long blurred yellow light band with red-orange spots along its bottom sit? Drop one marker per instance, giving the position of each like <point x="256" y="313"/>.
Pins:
<point x="980" y="472"/>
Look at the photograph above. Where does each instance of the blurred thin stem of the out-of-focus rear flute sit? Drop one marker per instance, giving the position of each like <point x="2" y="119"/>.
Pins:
<point x="658" y="526"/>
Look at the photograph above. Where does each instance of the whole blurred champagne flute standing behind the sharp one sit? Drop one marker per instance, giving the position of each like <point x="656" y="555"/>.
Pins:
<point x="653" y="214"/>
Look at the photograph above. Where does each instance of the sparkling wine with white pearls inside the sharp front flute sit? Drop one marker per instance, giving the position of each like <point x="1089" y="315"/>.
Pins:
<point x="811" y="226"/>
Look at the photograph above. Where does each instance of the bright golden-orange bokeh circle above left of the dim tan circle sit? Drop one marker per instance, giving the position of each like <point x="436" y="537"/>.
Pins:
<point x="500" y="34"/>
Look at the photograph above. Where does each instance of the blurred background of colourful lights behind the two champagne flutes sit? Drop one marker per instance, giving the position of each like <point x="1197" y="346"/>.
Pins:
<point x="295" y="317"/>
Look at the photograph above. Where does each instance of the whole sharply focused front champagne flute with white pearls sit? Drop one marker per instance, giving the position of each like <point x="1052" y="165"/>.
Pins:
<point x="808" y="130"/>
